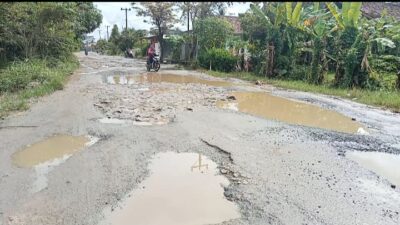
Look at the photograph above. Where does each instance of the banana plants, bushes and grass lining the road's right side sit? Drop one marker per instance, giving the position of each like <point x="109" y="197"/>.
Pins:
<point x="327" y="48"/>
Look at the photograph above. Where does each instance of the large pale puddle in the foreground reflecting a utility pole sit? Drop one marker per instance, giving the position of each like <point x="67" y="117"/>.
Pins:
<point x="182" y="189"/>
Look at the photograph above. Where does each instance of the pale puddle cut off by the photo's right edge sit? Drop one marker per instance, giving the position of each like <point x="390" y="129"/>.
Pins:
<point x="384" y="164"/>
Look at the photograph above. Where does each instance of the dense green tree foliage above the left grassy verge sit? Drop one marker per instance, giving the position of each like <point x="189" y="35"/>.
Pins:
<point x="43" y="29"/>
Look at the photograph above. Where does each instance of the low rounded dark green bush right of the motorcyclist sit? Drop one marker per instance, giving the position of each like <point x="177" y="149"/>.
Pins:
<point x="220" y="59"/>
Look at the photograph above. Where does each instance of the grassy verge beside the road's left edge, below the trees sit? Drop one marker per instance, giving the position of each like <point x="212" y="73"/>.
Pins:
<point x="21" y="82"/>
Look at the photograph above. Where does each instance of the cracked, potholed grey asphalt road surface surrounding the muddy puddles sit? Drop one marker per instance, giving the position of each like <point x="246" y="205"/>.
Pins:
<point x="278" y="173"/>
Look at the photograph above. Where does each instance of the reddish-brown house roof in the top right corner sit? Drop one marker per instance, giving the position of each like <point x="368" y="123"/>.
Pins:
<point x="374" y="9"/>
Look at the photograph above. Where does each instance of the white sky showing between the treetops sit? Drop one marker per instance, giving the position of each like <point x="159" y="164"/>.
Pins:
<point x="112" y="14"/>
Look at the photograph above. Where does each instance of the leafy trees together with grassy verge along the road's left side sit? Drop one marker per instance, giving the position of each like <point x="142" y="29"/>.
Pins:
<point x="37" y="41"/>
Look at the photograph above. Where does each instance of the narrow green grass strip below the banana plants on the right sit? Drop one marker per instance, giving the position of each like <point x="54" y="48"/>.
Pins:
<point x="389" y="99"/>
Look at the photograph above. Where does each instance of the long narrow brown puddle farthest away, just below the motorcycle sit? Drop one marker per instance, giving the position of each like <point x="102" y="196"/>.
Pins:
<point x="158" y="78"/>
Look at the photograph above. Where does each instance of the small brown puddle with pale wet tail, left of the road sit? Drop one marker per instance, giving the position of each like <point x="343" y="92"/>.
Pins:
<point x="43" y="156"/>
